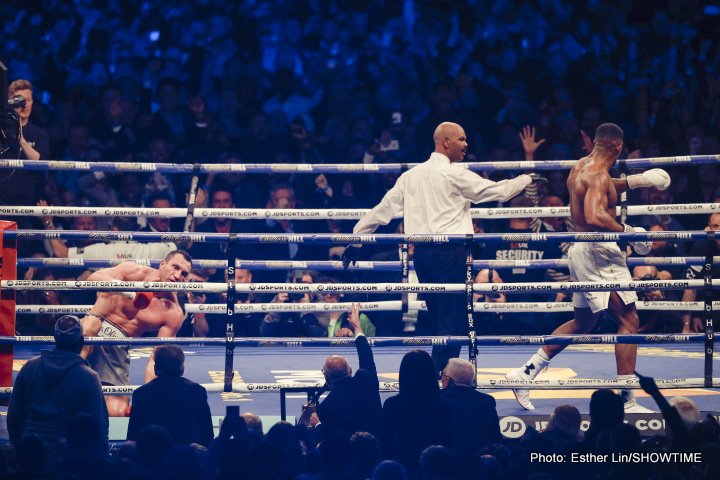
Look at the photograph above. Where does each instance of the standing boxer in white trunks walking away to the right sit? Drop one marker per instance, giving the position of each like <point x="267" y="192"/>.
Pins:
<point x="593" y="197"/>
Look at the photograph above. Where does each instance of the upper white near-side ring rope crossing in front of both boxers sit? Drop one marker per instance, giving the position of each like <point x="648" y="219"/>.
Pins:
<point x="387" y="288"/>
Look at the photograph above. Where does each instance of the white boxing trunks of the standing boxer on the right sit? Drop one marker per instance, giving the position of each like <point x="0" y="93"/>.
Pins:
<point x="598" y="262"/>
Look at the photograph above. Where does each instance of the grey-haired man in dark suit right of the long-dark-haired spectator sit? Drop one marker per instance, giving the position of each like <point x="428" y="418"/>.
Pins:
<point x="475" y="421"/>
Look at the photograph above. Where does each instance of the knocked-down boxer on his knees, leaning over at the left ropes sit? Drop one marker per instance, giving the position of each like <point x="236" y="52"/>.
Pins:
<point x="122" y="314"/>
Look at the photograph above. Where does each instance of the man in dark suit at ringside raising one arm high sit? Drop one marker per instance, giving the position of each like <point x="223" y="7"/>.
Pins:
<point x="353" y="404"/>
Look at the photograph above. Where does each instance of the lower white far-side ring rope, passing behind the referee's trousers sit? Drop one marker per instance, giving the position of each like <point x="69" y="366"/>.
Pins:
<point x="384" y="306"/>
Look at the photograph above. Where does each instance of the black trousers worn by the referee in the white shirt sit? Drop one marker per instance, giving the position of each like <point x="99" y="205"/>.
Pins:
<point x="447" y="311"/>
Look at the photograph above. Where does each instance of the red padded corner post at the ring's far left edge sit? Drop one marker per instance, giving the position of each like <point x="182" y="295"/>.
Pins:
<point x="8" y="271"/>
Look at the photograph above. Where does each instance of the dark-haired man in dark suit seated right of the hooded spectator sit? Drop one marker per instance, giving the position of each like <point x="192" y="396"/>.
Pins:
<point x="172" y="401"/>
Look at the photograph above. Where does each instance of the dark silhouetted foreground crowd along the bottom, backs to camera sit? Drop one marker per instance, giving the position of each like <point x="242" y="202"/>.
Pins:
<point x="422" y="433"/>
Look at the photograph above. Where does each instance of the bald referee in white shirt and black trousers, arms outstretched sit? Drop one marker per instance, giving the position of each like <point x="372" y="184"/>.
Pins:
<point x="434" y="198"/>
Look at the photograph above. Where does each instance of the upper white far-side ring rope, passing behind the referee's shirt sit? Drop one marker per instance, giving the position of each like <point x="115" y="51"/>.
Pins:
<point x="335" y="214"/>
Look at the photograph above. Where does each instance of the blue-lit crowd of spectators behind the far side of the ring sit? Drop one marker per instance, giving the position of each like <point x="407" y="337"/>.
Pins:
<point x="351" y="82"/>
